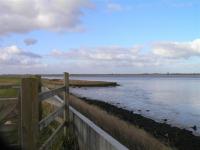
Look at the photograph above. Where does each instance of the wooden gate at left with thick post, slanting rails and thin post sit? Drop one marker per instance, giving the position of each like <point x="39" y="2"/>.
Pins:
<point x="29" y="112"/>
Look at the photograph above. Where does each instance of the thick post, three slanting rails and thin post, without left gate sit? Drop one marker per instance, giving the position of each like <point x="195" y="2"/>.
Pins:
<point x="31" y="100"/>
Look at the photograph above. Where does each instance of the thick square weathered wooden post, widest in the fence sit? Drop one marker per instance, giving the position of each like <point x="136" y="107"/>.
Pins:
<point x="30" y="113"/>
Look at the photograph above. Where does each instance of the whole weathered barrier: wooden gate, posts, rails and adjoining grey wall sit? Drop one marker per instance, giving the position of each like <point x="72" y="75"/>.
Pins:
<point x="31" y="123"/>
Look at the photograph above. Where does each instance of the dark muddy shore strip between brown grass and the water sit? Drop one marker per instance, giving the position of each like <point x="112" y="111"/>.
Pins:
<point x="181" y="139"/>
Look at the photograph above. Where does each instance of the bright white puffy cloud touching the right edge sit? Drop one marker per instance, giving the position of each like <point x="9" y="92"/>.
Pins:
<point x="177" y="49"/>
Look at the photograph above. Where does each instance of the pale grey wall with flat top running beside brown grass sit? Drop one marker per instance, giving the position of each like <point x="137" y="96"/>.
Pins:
<point x="90" y="136"/>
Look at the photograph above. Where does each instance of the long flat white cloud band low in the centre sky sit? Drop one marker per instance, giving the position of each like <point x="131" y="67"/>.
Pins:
<point x="106" y="53"/>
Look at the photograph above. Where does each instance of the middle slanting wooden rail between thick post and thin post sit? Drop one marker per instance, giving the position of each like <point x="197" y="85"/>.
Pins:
<point x="46" y="121"/>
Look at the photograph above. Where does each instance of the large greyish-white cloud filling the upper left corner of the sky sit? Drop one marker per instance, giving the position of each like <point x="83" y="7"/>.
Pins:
<point x="18" y="16"/>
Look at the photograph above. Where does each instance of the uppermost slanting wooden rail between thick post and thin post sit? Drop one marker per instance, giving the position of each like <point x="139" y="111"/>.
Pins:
<point x="48" y="94"/>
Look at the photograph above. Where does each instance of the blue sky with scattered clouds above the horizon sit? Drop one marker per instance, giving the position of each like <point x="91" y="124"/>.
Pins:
<point x="99" y="36"/>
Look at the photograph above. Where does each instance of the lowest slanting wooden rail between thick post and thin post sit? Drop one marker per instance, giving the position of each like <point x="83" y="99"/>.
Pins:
<point x="51" y="139"/>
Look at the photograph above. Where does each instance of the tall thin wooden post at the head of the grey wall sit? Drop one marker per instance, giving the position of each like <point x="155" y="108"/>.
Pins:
<point x="66" y="100"/>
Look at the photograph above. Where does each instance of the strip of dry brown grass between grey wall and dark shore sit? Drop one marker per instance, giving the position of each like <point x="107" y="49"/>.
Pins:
<point x="129" y="135"/>
